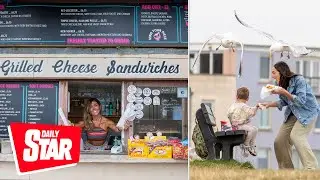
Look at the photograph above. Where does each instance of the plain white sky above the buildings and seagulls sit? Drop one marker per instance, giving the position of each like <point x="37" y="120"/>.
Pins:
<point x="293" y="21"/>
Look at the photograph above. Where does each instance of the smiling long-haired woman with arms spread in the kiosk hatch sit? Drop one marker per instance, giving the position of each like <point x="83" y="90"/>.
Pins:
<point x="96" y="126"/>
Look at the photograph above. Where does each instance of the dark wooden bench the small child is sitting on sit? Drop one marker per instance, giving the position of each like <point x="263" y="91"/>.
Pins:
<point x="217" y="141"/>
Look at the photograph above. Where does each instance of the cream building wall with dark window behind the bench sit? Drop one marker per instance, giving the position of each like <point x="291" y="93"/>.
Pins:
<point x="217" y="88"/>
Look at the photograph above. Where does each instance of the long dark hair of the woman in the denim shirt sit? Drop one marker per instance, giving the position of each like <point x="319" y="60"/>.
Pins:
<point x="285" y="74"/>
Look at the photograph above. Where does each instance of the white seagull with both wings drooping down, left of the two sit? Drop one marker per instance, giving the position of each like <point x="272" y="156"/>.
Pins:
<point x="227" y="40"/>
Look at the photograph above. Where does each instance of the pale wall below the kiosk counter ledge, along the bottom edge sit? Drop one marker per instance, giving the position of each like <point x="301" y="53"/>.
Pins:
<point x="119" y="171"/>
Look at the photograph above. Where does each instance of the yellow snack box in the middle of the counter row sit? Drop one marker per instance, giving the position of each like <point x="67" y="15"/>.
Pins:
<point x="162" y="152"/>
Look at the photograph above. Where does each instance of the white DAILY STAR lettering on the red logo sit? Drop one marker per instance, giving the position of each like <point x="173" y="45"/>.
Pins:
<point x="44" y="145"/>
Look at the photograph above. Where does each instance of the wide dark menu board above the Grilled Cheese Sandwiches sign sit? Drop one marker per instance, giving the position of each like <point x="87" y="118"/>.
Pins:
<point x="90" y="25"/>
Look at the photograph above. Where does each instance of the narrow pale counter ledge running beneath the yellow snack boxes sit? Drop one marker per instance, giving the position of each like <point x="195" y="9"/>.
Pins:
<point x="107" y="158"/>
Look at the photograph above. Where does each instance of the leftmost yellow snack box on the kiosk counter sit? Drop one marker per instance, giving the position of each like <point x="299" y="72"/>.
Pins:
<point x="137" y="149"/>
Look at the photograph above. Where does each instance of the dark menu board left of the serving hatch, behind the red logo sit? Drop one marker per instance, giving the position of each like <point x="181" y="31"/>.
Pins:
<point x="28" y="102"/>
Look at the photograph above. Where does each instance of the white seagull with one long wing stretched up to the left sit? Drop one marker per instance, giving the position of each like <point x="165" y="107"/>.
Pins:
<point x="279" y="45"/>
